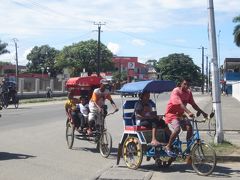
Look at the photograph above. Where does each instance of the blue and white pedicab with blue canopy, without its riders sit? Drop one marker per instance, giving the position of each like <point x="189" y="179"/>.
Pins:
<point x="135" y="141"/>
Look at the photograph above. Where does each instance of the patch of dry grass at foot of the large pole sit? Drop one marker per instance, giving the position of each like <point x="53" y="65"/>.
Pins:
<point x="226" y="148"/>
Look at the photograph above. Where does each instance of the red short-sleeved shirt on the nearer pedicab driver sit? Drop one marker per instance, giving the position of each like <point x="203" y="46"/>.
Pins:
<point x="174" y="109"/>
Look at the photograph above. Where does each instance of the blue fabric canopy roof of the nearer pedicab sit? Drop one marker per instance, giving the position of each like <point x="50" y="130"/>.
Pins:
<point x="151" y="86"/>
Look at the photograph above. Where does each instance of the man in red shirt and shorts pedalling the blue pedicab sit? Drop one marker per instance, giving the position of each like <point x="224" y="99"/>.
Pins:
<point x="176" y="107"/>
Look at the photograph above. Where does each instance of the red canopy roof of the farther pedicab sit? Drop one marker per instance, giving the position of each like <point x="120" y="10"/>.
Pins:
<point x="88" y="81"/>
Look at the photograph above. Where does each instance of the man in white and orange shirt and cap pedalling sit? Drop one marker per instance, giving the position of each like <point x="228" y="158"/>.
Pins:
<point x="97" y="102"/>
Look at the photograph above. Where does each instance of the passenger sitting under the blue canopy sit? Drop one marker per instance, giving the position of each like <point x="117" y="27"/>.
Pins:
<point x="145" y="116"/>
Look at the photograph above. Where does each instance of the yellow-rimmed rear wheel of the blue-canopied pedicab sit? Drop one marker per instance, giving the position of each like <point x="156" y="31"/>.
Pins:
<point x="132" y="152"/>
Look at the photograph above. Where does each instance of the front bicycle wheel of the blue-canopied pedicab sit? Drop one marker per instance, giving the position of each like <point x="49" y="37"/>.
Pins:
<point x="203" y="159"/>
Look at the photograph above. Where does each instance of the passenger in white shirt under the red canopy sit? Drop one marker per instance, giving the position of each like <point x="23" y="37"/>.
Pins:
<point x="83" y="107"/>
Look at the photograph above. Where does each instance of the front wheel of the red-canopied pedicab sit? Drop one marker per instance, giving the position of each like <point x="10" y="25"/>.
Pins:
<point x="105" y="144"/>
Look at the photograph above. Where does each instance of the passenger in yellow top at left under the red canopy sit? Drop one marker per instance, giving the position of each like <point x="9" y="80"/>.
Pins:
<point x="71" y="109"/>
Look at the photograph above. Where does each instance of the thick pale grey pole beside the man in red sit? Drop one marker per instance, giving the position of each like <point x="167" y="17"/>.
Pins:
<point x="219" y="137"/>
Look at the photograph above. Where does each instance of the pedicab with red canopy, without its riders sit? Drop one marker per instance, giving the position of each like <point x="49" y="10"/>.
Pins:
<point x="84" y="86"/>
